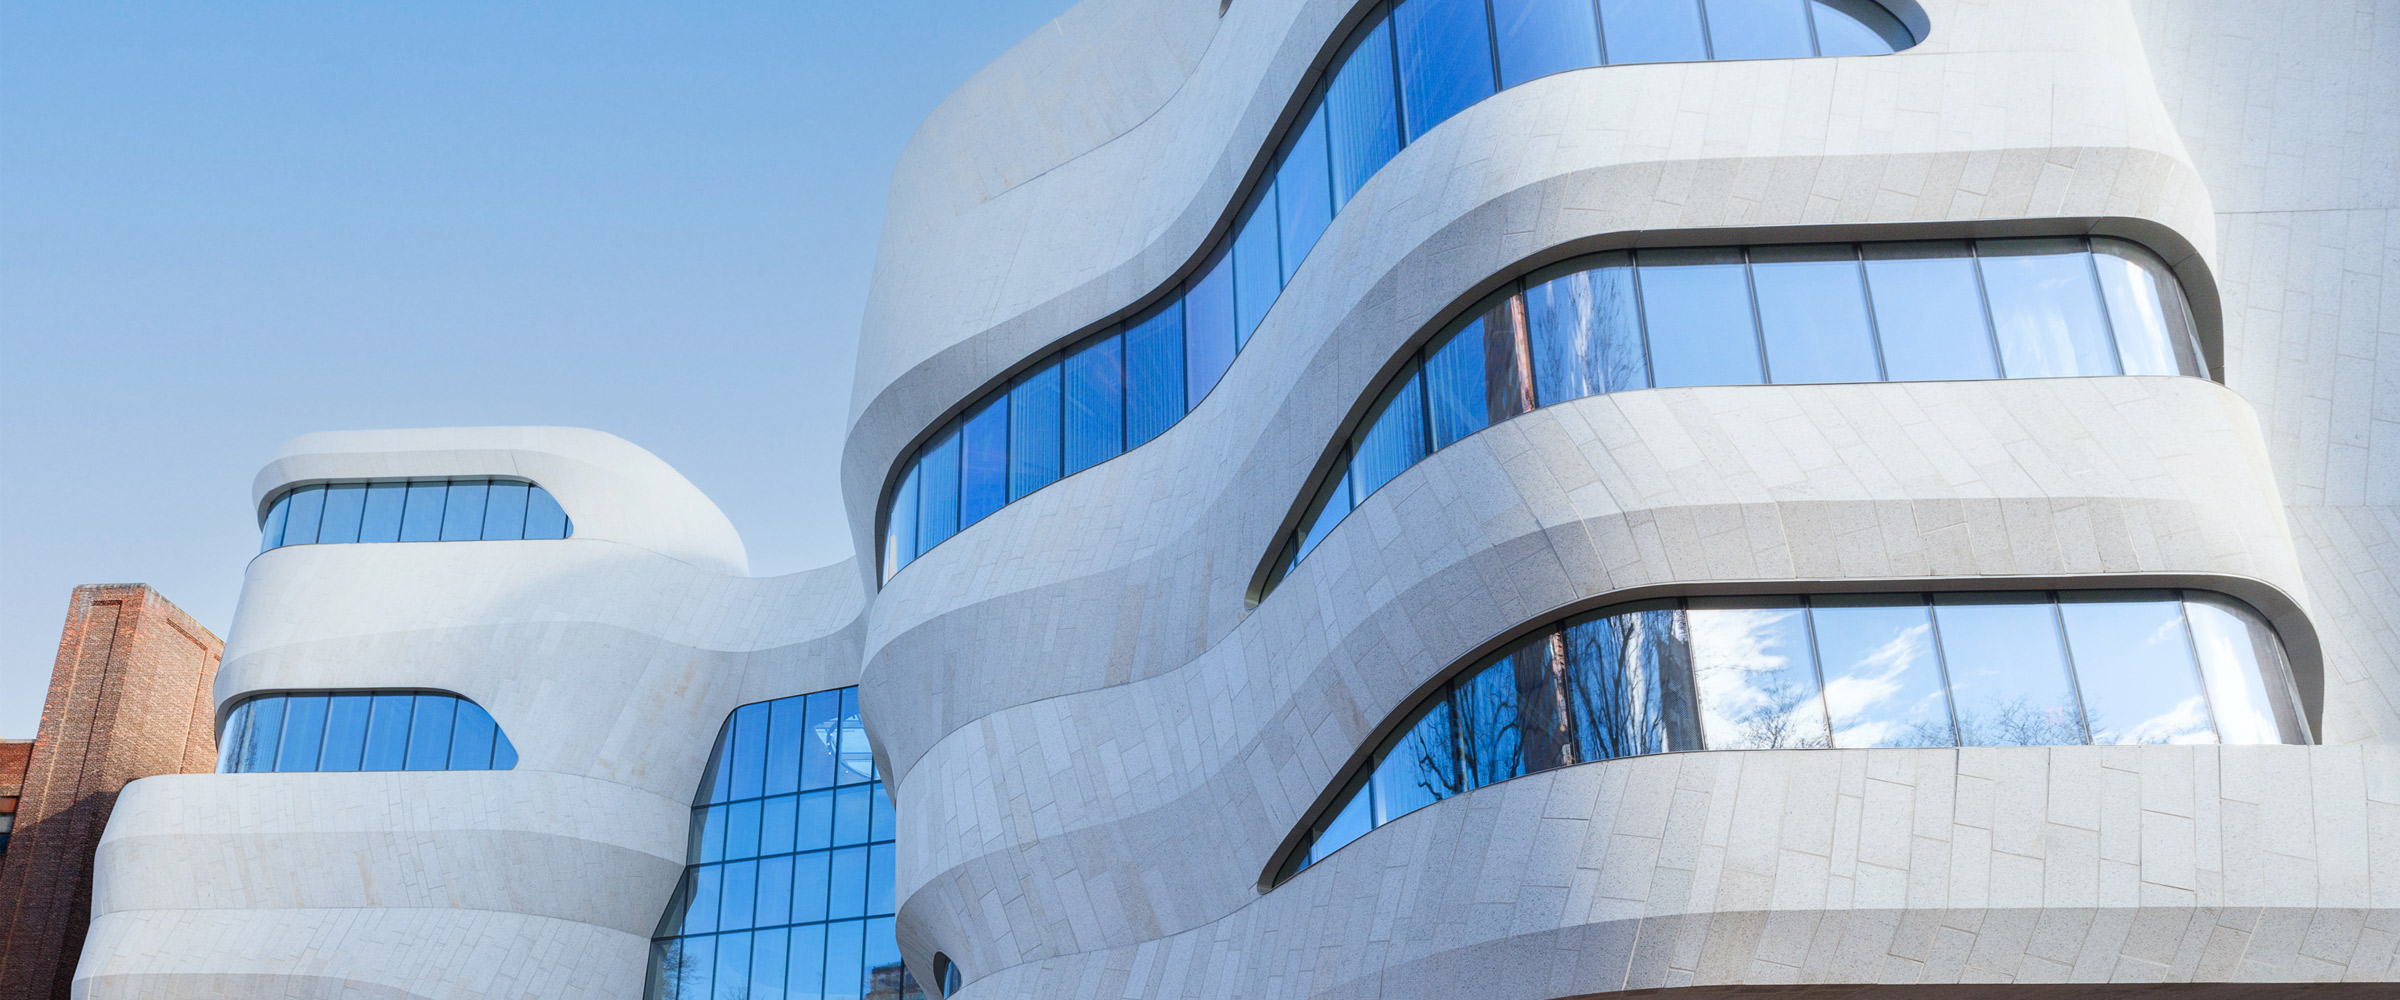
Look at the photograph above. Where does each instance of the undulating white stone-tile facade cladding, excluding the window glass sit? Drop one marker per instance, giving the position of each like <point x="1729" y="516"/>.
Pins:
<point x="1100" y="740"/>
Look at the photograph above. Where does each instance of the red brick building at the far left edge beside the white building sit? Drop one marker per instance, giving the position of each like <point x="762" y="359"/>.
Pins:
<point x="131" y="697"/>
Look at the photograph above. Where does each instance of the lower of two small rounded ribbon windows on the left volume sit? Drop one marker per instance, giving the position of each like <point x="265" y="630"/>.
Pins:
<point x="361" y="730"/>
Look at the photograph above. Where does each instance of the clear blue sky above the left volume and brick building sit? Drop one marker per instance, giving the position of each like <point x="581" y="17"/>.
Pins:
<point x="227" y="224"/>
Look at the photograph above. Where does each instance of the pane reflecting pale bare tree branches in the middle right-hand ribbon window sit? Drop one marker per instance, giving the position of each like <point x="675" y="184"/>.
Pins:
<point x="1585" y="332"/>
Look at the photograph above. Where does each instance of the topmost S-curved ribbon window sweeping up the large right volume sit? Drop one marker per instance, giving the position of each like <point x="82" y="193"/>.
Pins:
<point x="1405" y="71"/>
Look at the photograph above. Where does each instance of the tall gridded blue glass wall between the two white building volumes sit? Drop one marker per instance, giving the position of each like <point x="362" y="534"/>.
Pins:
<point x="791" y="865"/>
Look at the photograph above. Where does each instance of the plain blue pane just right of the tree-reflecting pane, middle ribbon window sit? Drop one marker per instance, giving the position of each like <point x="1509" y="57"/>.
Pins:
<point x="1696" y="306"/>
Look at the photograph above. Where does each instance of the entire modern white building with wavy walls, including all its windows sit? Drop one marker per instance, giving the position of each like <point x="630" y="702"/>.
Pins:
<point x="1420" y="500"/>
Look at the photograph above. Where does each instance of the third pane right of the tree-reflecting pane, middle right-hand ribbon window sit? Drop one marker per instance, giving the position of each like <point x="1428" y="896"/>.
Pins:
<point x="1928" y="313"/>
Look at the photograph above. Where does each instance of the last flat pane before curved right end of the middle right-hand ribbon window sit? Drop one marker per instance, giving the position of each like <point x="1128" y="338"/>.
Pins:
<point x="2046" y="308"/>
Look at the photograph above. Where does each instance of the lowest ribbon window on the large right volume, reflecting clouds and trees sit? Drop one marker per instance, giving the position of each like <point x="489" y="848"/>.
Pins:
<point x="1835" y="673"/>
